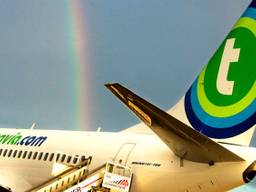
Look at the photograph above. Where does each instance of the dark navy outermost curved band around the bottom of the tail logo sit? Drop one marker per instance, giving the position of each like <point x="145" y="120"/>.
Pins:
<point x="212" y="131"/>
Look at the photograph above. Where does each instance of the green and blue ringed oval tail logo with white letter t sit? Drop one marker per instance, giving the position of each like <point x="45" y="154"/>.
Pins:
<point x="221" y="102"/>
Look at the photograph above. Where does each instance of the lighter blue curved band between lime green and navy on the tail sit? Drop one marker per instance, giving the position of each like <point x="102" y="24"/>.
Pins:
<point x="219" y="122"/>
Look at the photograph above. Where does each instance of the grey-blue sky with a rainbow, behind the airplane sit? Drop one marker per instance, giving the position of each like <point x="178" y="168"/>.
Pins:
<point x="156" y="48"/>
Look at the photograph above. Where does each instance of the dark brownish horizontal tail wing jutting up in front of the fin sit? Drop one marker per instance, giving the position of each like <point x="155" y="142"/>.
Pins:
<point x="184" y="141"/>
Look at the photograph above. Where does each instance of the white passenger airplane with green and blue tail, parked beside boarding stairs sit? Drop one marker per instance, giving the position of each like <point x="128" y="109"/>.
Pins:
<point x="201" y="144"/>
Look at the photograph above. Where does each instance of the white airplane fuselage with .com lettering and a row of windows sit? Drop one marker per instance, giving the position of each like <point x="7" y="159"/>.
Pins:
<point x="154" y="165"/>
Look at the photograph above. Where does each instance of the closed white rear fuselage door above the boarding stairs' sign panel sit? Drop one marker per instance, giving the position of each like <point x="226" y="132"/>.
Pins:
<point x="123" y="153"/>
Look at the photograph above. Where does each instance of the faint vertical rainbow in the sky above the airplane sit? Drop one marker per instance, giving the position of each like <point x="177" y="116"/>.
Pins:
<point x="79" y="64"/>
